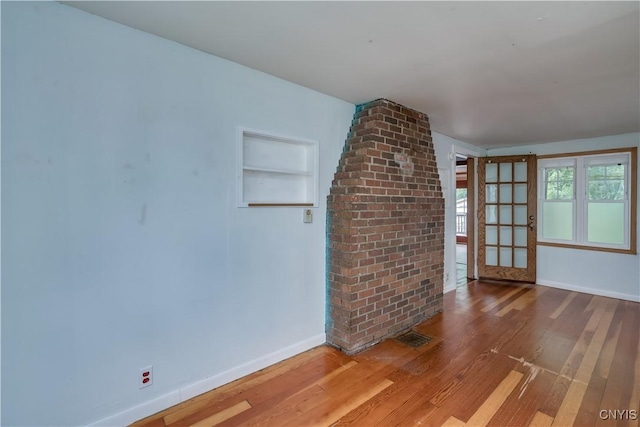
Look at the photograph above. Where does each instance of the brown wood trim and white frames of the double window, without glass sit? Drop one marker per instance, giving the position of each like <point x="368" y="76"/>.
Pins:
<point x="580" y="210"/>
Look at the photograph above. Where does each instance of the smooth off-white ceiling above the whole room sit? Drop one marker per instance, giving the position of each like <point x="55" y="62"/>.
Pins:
<point x="492" y="74"/>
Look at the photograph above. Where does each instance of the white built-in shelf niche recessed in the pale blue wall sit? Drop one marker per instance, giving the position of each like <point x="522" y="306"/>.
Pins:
<point x="275" y="170"/>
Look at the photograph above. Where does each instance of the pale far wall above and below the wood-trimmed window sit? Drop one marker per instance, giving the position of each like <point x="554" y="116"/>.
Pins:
<point x="601" y="273"/>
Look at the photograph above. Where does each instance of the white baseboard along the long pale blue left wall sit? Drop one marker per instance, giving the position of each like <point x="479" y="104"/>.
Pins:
<point x="158" y="404"/>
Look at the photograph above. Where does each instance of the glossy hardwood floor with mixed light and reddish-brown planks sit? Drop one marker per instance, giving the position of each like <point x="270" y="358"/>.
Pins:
<point x="501" y="355"/>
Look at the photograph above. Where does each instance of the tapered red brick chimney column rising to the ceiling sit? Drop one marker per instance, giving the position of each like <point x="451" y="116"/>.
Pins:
<point x="386" y="229"/>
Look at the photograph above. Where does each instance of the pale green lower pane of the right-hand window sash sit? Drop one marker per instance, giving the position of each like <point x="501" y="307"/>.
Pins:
<point x="606" y="223"/>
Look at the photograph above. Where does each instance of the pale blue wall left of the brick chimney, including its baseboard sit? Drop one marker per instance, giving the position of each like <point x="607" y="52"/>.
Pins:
<point x="122" y="245"/>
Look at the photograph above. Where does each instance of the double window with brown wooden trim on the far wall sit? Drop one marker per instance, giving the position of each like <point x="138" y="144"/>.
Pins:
<point x="588" y="200"/>
